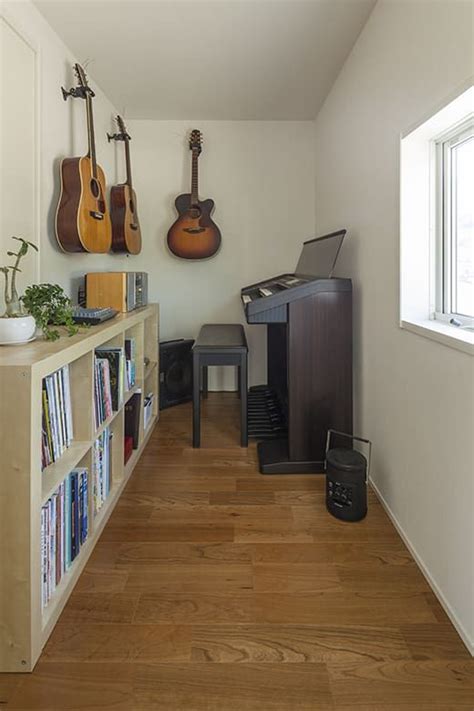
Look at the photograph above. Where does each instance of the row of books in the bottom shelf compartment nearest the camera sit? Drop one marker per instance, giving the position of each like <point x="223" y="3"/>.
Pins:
<point x="64" y="528"/>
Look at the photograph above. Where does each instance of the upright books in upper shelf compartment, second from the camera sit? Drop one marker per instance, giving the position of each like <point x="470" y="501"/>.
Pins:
<point x="109" y="382"/>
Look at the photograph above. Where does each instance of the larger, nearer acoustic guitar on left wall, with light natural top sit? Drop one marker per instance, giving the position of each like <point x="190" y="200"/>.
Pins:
<point x="82" y="219"/>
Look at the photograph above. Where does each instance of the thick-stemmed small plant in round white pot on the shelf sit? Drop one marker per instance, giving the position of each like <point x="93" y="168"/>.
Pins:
<point x="16" y="325"/>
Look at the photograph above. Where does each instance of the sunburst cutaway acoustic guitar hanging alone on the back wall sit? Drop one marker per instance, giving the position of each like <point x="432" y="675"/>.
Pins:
<point x="194" y="235"/>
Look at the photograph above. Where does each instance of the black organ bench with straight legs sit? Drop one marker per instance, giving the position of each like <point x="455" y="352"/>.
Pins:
<point x="219" y="344"/>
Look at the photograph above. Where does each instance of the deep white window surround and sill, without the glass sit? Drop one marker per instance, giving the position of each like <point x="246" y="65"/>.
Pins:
<point x="419" y="282"/>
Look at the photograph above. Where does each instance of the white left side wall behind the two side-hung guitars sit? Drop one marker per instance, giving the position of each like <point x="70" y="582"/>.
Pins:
<point x="62" y="132"/>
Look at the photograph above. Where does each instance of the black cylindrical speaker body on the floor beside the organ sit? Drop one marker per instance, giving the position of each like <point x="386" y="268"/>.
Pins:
<point x="346" y="484"/>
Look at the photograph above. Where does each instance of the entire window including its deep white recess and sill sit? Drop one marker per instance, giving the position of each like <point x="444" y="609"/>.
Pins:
<point x="437" y="224"/>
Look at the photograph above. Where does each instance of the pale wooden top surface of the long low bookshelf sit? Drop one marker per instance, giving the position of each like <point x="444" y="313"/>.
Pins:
<point x="68" y="348"/>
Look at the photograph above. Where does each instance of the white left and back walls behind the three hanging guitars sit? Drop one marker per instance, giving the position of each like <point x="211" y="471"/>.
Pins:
<point x="260" y="174"/>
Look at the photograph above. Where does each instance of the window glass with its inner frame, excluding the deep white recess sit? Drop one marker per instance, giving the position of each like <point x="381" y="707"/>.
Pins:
<point x="454" y="201"/>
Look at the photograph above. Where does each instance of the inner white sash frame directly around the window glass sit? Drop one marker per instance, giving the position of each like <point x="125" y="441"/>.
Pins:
<point x="443" y="195"/>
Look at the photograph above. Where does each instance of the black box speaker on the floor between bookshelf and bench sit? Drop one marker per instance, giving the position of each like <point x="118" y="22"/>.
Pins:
<point x="176" y="372"/>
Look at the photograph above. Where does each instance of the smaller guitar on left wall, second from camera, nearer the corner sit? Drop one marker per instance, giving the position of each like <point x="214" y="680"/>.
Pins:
<point x="126" y="235"/>
